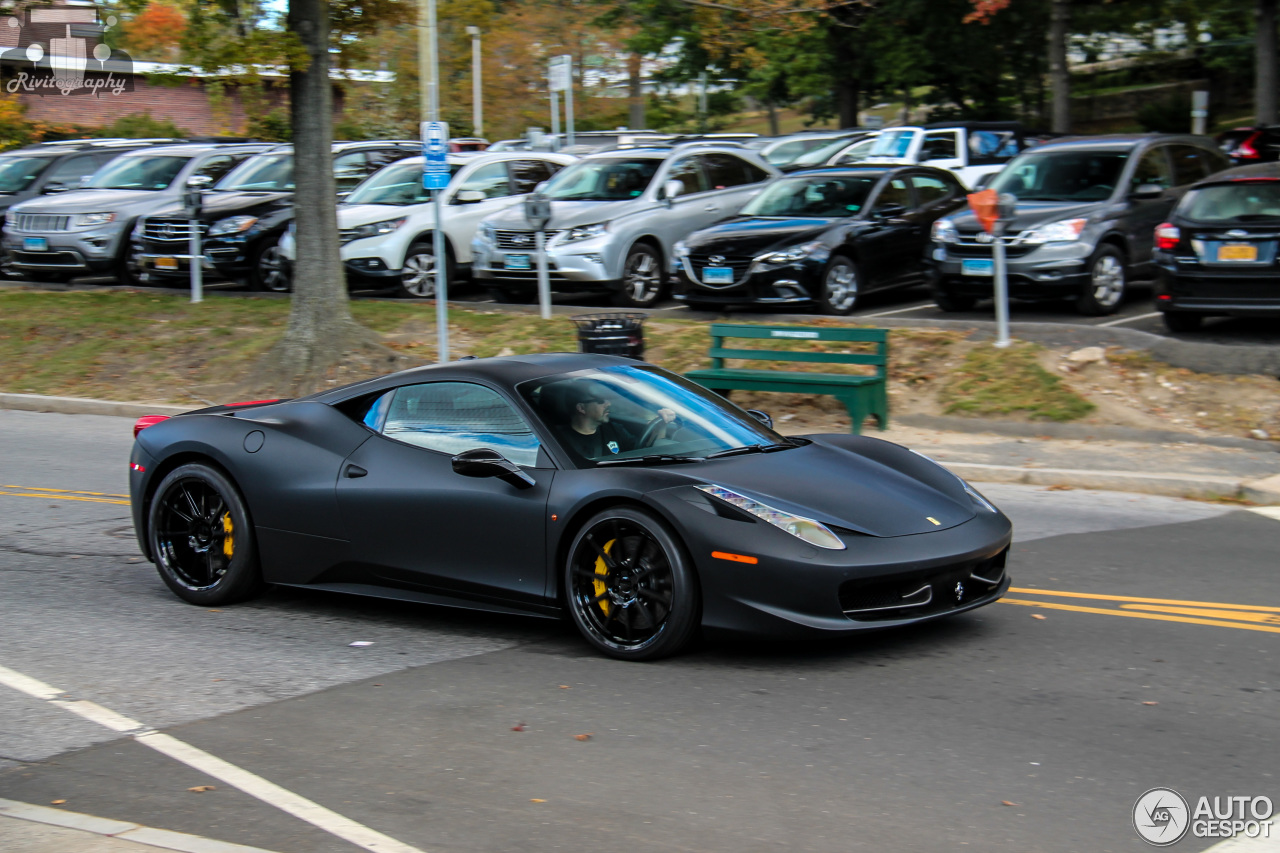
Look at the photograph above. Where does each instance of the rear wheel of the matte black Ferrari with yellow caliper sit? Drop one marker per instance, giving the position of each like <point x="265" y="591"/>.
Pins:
<point x="202" y="539"/>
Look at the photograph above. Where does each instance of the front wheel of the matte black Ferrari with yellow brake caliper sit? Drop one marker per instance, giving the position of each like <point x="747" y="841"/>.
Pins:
<point x="630" y="586"/>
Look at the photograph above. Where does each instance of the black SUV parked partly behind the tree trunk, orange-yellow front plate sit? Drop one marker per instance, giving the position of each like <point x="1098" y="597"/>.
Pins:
<point x="246" y="215"/>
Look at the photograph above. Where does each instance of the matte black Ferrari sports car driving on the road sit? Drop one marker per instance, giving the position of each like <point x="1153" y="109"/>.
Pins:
<point x="639" y="503"/>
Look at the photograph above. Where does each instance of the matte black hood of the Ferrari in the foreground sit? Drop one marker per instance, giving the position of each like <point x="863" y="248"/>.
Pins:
<point x="865" y="485"/>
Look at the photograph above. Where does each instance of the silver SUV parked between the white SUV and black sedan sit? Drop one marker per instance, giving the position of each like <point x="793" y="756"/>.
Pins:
<point x="615" y="218"/>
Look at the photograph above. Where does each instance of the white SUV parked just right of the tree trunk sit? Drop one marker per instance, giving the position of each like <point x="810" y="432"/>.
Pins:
<point x="387" y="223"/>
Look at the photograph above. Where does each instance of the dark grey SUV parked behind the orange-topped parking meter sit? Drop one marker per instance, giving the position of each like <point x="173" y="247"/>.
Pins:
<point x="1085" y="223"/>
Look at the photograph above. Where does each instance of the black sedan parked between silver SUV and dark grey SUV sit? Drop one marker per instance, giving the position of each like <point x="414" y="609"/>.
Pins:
<point x="825" y="236"/>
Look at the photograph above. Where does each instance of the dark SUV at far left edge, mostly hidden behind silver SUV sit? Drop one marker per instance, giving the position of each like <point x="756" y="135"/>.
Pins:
<point x="51" y="168"/>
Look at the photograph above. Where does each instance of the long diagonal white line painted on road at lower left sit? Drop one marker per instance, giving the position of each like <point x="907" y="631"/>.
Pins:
<point x="252" y="784"/>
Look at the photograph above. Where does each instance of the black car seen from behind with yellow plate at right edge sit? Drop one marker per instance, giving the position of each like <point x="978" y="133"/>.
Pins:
<point x="1217" y="256"/>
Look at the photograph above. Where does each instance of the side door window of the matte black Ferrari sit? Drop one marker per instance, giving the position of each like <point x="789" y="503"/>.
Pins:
<point x="458" y="417"/>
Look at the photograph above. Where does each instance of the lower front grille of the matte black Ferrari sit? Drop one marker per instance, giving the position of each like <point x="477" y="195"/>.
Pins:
<point x="922" y="594"/>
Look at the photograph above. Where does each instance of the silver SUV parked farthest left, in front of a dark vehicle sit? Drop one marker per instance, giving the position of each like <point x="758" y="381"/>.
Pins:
<point x="88" y="231"/>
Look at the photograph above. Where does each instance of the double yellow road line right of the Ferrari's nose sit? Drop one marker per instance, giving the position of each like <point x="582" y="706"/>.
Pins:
<point x="1251" y="618"/>
